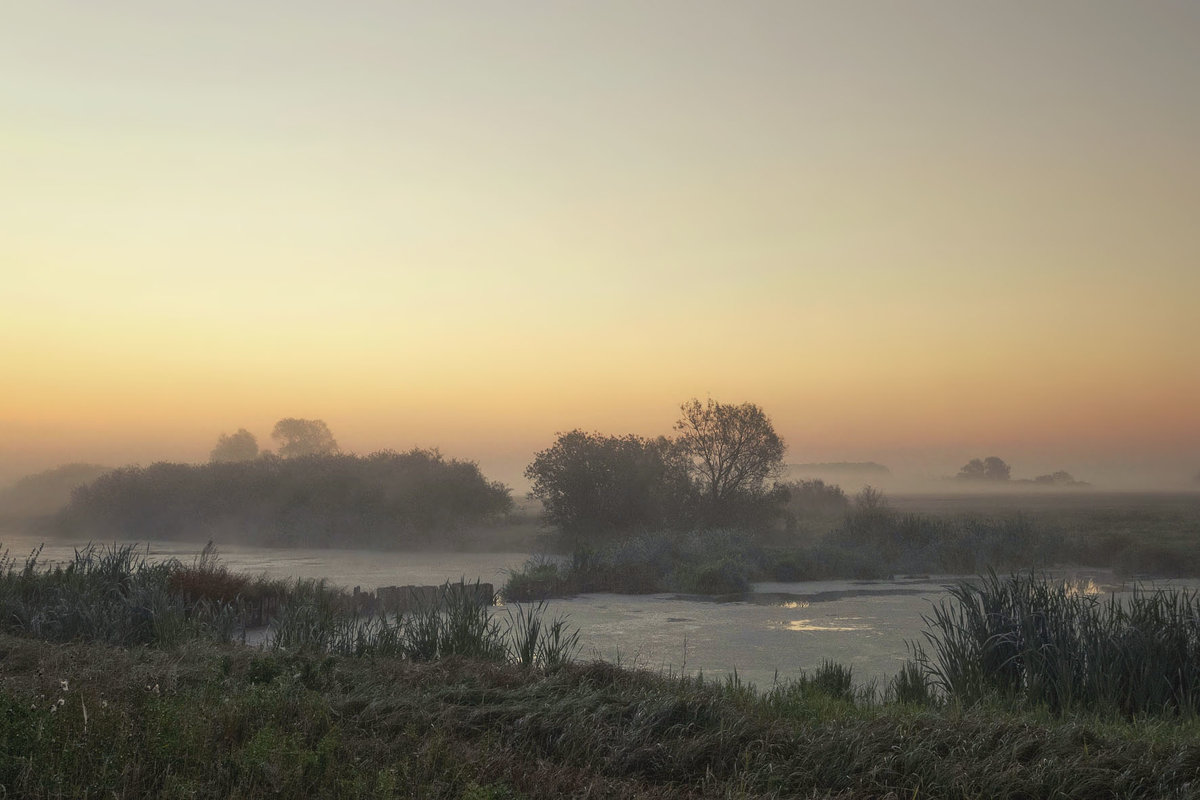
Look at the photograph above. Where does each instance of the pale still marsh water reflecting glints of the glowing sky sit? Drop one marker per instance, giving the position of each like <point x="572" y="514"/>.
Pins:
<point x="777" y="631"/>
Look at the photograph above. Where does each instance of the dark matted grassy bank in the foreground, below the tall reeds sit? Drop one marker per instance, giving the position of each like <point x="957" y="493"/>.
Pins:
<point x="220" y="721"/>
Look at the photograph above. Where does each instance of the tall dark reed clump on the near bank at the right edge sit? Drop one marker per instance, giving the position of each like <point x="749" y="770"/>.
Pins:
<point x="1052" y="645"/>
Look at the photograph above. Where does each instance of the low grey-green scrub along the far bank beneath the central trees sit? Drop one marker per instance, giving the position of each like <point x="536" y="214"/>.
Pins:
<point x="872" y="543"/>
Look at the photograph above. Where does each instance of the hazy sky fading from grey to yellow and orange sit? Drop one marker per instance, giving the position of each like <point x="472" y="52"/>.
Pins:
<point x="914" y="233"/>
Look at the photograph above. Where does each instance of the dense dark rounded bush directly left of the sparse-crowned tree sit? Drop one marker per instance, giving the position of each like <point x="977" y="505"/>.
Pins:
<point x="592" y="484"/>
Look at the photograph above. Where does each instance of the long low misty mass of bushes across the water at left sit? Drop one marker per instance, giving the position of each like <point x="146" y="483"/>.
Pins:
<point x="386" y="500"/>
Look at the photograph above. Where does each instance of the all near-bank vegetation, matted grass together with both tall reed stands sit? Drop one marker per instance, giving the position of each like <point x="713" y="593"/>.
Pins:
<point x="154" y="699"/>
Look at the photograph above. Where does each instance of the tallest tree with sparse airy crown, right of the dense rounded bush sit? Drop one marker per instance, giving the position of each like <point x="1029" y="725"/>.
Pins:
<point x="731" y="450"/>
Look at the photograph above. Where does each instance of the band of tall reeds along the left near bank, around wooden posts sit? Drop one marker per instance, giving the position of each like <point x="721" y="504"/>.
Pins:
<point x="118" y="596"/>
